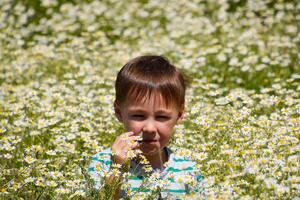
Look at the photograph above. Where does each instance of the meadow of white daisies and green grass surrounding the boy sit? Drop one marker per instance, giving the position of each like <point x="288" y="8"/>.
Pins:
<point x="58" y="64"/>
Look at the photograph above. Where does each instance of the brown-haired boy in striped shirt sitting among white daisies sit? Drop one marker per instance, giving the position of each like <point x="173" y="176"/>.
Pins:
<point x="149" y="102"/>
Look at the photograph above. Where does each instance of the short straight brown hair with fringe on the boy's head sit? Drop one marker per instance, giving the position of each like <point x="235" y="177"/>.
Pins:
<point x="146" y="75"/>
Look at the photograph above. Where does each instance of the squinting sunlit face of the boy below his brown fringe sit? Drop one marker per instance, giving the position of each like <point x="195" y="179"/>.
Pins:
<point x="153" y="119"/>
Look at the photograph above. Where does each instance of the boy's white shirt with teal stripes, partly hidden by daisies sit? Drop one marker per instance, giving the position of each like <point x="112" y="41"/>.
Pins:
<point x="180" y="177"/>
